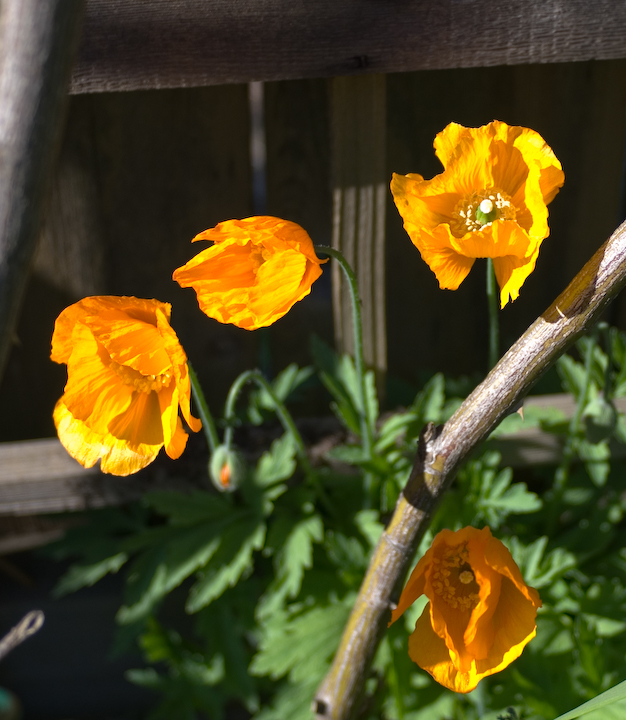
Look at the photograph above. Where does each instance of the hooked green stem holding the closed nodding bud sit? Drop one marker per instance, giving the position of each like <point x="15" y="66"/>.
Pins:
<point x="286" y="420"/>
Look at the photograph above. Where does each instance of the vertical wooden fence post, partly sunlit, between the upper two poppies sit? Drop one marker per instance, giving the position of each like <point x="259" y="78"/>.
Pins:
<point x="360" y="188"/>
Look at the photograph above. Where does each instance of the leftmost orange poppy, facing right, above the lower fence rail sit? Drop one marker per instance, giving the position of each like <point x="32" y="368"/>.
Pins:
<point x="127" y="376"/>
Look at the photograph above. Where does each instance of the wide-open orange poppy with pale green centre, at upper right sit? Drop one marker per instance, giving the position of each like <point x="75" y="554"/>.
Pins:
<point x="490" y="202"/>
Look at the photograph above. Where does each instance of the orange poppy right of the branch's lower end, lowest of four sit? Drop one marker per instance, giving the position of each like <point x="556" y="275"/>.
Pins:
<point x="481" y="613"/>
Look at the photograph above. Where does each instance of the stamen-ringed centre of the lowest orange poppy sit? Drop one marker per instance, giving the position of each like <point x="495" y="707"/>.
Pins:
<point x="454" y="579"/>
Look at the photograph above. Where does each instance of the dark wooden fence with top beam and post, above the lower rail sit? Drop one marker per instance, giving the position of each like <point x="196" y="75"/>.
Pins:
<point x="156" y="148"/>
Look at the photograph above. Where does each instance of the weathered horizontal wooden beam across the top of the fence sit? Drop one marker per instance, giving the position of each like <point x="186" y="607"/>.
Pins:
<point x="135" y="44"/>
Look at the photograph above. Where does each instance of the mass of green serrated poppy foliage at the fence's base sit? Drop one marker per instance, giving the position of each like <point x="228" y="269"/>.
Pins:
<point x="268" y="573"/>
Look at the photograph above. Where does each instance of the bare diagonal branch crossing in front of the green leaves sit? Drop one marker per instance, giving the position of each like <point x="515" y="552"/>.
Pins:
<point x="440" y="453"/>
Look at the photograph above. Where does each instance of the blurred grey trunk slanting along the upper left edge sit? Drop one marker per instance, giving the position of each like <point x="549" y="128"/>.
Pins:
<point x="37" y="46"/>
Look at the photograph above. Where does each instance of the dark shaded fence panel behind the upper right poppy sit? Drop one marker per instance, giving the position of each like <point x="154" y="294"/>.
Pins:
<point x="579" y="109"/>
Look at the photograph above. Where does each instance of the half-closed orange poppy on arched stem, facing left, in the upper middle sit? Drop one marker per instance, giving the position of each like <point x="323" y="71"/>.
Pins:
<point x="255" y="271"/>
